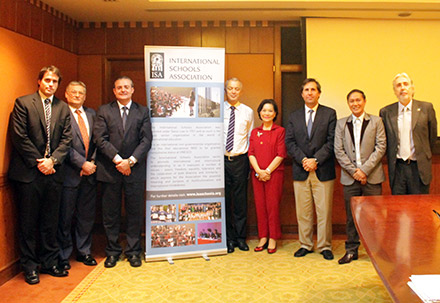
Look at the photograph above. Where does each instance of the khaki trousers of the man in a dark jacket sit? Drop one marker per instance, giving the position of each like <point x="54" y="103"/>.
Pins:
<point x="314" y="194"/>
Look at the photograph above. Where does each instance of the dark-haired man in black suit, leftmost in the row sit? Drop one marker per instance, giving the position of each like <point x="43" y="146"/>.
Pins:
<point x="41" y="134"/>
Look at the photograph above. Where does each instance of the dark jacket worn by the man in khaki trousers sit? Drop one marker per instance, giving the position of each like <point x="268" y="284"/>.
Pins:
<point x="319" y="145"/>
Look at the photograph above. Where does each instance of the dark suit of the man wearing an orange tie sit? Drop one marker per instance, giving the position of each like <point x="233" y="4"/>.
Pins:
<point x="79" y="193"/>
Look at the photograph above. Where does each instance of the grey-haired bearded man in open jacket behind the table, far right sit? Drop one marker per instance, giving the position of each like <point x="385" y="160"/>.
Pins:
<point x="411" y="129"/>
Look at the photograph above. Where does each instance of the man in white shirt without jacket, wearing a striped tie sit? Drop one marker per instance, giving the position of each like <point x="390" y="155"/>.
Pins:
<point x="238" y="124"/>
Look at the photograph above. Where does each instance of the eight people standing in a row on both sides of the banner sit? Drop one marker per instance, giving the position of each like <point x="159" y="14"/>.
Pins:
<point x="60" y="151"/>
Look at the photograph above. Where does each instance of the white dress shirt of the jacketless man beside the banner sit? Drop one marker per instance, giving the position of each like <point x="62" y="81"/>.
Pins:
<point x="244" y="123"/>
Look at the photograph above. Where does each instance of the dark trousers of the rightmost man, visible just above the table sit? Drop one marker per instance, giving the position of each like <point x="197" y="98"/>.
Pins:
<point x="407" y="179"/>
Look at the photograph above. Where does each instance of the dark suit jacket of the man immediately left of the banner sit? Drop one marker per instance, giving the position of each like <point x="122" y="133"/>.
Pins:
<point x="111" y="139"/>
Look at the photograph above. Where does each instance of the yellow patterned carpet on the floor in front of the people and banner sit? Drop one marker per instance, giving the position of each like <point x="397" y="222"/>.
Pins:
<point x="238" y="277"/>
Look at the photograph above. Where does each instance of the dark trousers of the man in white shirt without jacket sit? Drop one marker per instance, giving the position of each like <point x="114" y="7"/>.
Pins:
<point x="236" y="181"/>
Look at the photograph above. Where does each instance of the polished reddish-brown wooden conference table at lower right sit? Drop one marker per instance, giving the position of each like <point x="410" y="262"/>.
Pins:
<point x="402" y="237"/>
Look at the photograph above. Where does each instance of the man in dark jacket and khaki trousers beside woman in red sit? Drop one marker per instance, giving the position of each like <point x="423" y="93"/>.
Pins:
<point x="309" y="141"/>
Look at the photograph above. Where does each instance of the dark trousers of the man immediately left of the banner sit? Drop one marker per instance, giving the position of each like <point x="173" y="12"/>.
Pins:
<point x="134" y="214"/>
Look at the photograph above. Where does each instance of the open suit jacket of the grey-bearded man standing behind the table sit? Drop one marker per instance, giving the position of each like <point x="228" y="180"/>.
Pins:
<point x="424" y="131"/>
